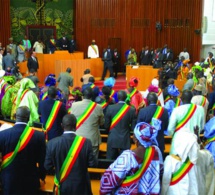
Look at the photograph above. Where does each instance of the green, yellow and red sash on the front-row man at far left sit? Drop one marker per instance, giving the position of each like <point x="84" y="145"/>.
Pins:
<point x="22" y="143"/>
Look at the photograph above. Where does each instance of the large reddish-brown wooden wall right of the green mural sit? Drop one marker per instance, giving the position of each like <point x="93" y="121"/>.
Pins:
<point x="134" y="22"/>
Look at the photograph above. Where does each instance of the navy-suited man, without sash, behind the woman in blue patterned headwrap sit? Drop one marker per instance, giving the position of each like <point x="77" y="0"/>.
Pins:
<point x="146" y="114"/>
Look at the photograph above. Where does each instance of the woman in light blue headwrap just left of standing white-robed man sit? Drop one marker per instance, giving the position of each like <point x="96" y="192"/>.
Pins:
<point x="173" y="100"/>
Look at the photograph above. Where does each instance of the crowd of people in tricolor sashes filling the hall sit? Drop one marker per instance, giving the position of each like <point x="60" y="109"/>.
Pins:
<point x="71" y="121"/>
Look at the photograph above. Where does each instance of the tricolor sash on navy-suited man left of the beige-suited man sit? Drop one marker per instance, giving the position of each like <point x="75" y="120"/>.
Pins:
<point x="52" y="116"/>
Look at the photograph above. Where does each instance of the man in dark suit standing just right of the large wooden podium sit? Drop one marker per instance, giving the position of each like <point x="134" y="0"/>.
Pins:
<point x="108" y="63"/>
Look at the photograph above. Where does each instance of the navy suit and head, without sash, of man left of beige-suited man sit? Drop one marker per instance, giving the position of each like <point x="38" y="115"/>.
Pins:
<point x="45" y="108"/>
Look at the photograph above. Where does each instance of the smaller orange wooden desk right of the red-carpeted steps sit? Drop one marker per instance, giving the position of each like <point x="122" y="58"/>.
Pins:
<point x="144" y="73"/>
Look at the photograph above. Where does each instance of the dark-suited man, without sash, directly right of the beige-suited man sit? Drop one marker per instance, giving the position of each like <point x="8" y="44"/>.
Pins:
<point x="119" y="135"/>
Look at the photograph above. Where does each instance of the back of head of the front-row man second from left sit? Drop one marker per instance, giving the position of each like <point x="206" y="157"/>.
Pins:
<point x="69" y="122"/>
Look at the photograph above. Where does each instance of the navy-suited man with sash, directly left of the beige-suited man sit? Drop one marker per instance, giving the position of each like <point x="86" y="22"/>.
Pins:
<point x="52" y="112"/>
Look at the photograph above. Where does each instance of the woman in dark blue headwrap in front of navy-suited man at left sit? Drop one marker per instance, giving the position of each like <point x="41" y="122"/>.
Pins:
<point x="49" y="81"/>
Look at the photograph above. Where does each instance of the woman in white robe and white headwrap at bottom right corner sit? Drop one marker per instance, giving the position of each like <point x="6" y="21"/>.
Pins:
<point x="187" y="169"/>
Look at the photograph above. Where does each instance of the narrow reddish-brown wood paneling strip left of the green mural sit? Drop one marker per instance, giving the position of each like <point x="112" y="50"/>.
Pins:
<point x="5" y="25"/>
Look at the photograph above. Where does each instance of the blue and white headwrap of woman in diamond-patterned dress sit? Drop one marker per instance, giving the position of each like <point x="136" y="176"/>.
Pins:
<point x="146" y="134"/>
